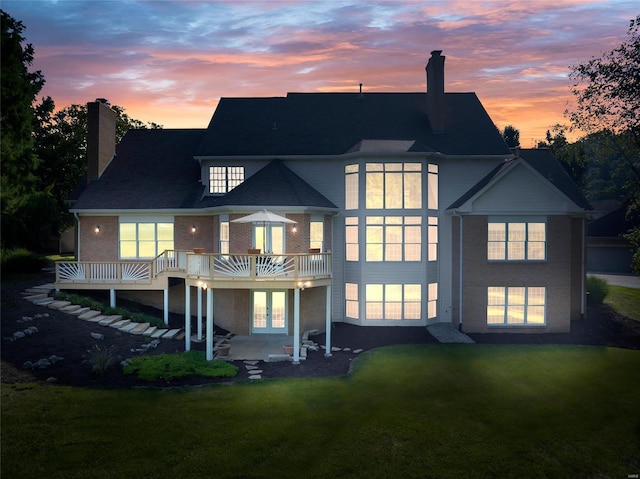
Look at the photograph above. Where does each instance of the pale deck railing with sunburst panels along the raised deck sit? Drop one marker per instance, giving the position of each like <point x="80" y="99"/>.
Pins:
<point x="203" y="266"/>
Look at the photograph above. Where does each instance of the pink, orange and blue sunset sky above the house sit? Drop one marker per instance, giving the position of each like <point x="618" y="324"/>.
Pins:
<point x="170" y="61"/>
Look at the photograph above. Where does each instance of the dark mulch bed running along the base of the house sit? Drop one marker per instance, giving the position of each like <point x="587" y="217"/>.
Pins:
<point x="68" y="337"/>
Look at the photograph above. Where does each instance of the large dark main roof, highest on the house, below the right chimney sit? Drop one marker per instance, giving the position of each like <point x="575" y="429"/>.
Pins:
<point x="336" y="123"/>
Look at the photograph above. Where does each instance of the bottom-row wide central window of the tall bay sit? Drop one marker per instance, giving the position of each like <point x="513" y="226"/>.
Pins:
<point x="394" y="302"/>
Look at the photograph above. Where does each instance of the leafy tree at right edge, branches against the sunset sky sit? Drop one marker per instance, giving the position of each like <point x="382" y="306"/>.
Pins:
<point x="607" y="91"/>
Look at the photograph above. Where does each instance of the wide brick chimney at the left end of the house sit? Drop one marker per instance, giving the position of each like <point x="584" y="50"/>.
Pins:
<point x="101" y="137"/>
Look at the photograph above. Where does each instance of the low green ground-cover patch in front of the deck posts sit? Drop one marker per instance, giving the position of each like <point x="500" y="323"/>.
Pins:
<point x="178" y="366"/>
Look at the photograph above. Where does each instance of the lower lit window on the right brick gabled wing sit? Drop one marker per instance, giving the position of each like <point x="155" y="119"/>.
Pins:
<point x="516" y="306"/>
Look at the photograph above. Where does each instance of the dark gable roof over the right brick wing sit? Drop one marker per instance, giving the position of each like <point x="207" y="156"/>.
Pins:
<point x="545" y="163"/>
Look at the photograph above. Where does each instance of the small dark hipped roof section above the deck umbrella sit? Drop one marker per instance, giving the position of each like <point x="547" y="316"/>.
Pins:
<point x="273" y="185"/>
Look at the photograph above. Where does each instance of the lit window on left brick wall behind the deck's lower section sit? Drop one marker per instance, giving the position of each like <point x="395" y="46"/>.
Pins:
<point x="144" y="239"/>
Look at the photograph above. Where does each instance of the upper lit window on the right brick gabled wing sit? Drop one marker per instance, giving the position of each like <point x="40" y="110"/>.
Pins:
<point x="516" y="240"/>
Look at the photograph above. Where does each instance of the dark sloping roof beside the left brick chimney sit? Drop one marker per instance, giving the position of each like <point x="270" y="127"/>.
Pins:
<point x="152" y="169"/>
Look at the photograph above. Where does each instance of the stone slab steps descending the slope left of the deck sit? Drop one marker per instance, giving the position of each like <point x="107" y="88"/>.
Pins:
<point x="41" y="295"/>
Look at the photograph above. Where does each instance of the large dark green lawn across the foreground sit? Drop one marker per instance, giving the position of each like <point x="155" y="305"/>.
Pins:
<point x="458" y="411"/>
